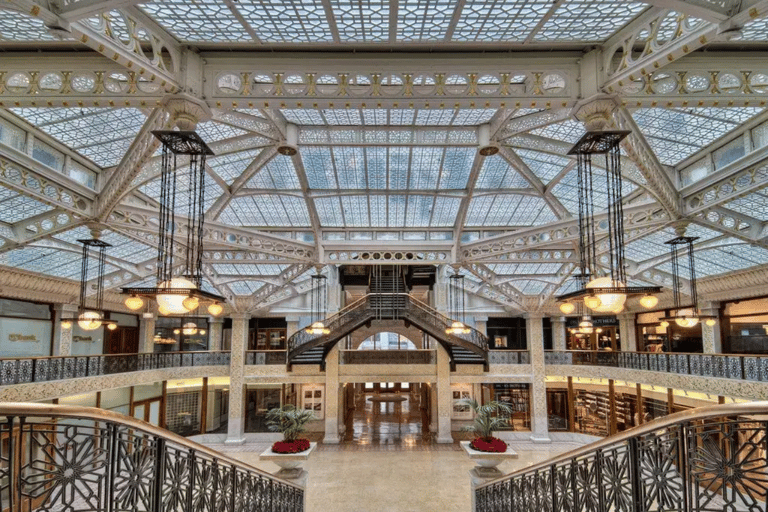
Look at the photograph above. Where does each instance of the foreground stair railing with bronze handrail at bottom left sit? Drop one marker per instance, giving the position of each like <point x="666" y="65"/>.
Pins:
<point x="81" y="459"/>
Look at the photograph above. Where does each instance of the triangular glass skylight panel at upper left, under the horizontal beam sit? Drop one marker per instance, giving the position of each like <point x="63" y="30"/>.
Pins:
<point x="101" y="134"/>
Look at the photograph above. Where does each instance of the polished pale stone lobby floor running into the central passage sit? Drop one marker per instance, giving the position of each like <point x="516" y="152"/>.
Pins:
<point x="384" y="463"/>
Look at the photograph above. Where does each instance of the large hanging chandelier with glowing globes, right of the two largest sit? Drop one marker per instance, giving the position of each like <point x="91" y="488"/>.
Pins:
<point x="603" y="286"/>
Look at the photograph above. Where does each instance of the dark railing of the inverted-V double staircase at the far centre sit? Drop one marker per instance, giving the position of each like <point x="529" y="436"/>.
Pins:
<point x="369" y="307"/>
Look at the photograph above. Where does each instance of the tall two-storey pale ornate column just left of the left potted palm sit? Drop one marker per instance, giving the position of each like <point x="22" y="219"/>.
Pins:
<point x="236" y="427"/>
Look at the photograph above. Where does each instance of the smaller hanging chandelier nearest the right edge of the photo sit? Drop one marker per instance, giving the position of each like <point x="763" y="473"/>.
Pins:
<point x="681" y="252"/>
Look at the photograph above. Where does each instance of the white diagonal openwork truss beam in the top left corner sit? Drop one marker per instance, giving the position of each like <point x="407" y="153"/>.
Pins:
<point x="101" y="39"/>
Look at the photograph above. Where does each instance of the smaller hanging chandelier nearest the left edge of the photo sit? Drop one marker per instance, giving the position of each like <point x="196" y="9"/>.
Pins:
<point x="90" y="319"/>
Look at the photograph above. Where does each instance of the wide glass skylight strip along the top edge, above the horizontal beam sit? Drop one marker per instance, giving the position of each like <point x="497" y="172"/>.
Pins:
<point x="381" y="21"/>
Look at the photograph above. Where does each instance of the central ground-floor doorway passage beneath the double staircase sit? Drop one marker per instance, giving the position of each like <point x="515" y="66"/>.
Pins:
<point x="388" y="413"/>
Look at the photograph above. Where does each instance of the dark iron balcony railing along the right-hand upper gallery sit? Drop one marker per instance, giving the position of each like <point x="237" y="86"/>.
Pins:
<point x="728" y="366"/>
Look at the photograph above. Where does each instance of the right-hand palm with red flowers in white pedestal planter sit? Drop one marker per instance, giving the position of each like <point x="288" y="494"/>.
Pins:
<point x="486" y="450"/>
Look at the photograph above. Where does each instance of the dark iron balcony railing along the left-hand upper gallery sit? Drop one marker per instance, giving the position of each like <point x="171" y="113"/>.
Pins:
<point x="21" y="370"/>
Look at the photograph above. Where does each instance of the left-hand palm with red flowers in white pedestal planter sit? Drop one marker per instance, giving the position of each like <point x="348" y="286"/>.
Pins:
<point x="292" y="451"/>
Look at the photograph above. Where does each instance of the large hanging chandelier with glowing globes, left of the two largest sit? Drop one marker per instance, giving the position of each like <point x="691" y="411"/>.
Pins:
<point x="179" y="294"/>
